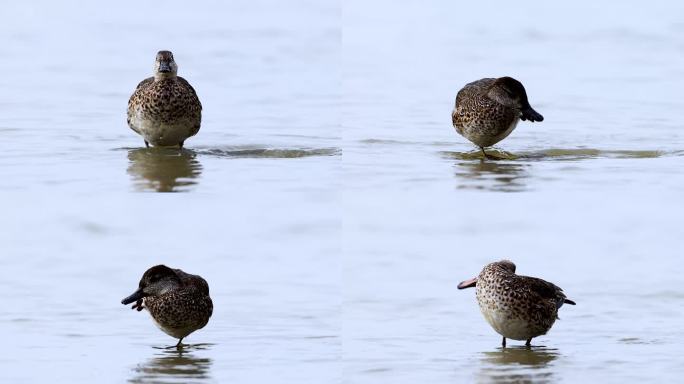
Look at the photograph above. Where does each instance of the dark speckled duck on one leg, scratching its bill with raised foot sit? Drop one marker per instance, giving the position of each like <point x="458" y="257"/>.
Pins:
<point x="178" y="302"/>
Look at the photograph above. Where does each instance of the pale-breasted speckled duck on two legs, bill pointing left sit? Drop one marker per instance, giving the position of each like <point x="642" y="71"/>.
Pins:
<point x="517" y="307"/>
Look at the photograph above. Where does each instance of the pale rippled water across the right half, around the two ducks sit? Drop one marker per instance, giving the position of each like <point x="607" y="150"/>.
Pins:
<point x="588" y="199"/>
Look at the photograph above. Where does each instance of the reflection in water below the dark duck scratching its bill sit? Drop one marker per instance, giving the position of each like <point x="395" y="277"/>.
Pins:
<point x="173" y="366"/>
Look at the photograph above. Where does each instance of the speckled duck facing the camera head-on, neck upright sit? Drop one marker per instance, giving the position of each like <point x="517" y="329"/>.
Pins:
<point x="164" y="109"/>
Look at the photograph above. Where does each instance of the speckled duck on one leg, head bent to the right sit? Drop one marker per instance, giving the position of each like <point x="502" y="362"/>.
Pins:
<point x="487" y="110"/>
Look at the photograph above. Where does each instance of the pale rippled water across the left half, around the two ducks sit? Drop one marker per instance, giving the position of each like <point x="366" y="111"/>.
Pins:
<point x="256" y="213"/>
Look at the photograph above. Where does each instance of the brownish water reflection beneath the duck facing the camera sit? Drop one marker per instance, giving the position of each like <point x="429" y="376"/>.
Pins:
<point x="163" y="169"/>
